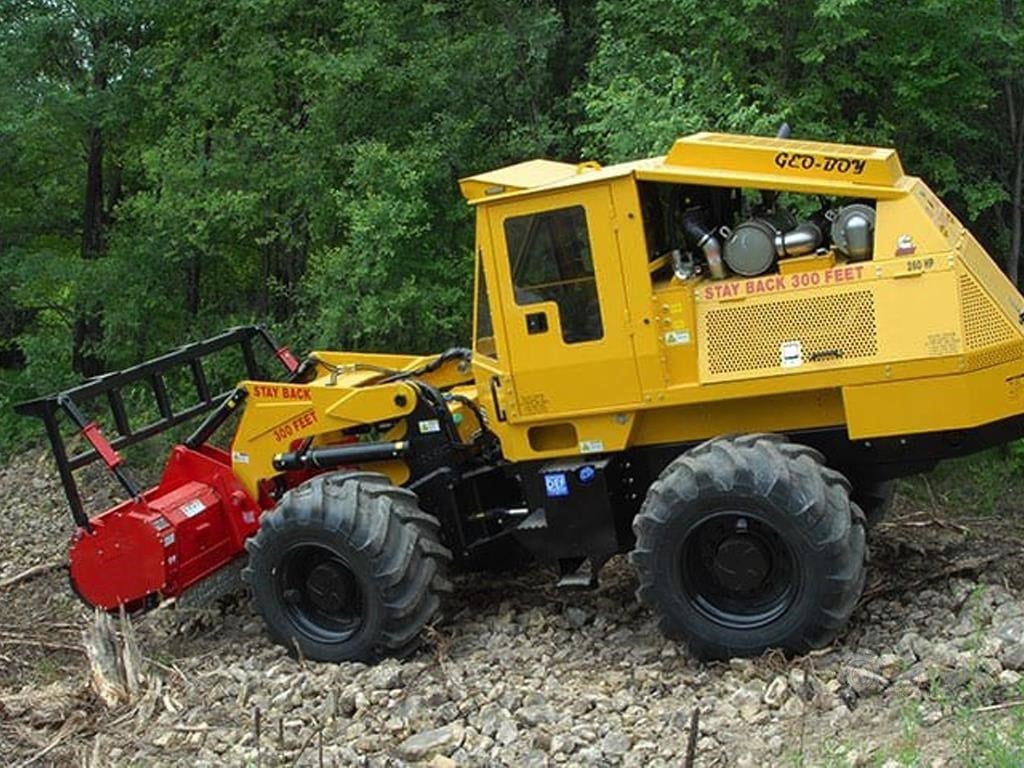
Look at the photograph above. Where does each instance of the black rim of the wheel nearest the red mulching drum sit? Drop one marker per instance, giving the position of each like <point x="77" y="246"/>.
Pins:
<point x="321" y="593"/>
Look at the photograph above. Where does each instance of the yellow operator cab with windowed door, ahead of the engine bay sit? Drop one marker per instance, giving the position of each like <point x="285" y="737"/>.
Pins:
<point x="550" y="298"/>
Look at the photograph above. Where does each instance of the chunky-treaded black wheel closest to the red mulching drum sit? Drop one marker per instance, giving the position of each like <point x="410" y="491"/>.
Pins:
<point x="348" y="568"/>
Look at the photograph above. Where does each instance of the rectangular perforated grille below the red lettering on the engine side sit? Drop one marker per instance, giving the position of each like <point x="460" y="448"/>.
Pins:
<point x="835" y="328"/>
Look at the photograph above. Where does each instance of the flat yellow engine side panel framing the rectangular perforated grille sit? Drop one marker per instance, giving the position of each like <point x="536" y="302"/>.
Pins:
<point x="843" y="317"/>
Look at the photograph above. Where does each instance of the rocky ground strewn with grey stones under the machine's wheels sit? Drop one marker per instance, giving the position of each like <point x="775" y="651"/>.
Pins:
<point x="521" y="674"/>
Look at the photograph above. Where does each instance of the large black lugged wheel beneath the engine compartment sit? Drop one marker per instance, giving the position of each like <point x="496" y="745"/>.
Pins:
<point x="750" y="543"/>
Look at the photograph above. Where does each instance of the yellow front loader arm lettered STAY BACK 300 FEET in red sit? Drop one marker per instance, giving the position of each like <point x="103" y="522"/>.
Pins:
<point x="357" y="410"/>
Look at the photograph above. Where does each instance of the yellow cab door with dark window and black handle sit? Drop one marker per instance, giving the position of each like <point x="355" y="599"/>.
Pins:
<point x="566" y="315"/>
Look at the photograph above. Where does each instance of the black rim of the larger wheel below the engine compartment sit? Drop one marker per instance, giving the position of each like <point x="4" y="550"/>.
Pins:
<point x="738" y="571"/>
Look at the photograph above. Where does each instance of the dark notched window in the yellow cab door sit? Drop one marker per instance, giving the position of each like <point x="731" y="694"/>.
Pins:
<point x="550" y="259"/>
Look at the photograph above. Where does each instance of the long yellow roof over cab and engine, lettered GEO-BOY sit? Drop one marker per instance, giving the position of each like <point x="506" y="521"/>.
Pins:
<point x="717" y="160"/>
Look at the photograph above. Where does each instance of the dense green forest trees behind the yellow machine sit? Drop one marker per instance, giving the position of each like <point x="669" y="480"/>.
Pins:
<point x="297" y="164"/>
